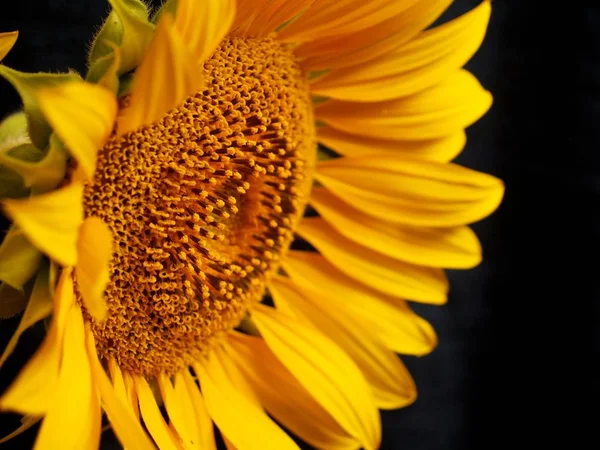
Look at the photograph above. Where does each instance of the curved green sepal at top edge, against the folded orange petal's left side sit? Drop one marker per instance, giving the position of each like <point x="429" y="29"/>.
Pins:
<point x="137" y="32"/>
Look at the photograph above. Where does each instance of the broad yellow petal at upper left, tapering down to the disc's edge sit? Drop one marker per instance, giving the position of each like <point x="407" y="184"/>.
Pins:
<point x="83" y="115"/>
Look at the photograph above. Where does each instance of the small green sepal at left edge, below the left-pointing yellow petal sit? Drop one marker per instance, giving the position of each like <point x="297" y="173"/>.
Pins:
<point x="19" y="259"/>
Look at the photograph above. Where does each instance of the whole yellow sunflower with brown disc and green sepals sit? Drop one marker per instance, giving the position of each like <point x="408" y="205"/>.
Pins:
<point x="202" y="257"/>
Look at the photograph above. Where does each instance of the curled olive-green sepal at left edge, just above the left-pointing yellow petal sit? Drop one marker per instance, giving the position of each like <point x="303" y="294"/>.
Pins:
<point x="41" y="171"/>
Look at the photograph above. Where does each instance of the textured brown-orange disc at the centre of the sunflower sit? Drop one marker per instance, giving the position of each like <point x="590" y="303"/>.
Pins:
<point x="202" y="205"/>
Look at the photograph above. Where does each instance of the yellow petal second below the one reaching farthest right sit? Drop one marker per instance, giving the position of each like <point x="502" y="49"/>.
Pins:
<point x="382" y="273"/>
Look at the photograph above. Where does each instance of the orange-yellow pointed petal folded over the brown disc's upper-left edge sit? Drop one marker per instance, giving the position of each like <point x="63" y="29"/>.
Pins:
<point x="169" y="68"/>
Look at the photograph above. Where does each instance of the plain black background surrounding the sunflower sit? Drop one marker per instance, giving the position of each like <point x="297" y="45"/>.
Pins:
<point x="519" y="342"/>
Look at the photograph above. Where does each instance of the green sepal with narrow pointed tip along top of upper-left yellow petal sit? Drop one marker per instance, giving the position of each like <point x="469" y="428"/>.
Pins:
<point x="27" y="84"/>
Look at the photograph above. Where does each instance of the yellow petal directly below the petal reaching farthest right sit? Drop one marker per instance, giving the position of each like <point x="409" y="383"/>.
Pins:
<point x="456" y="248"/>
